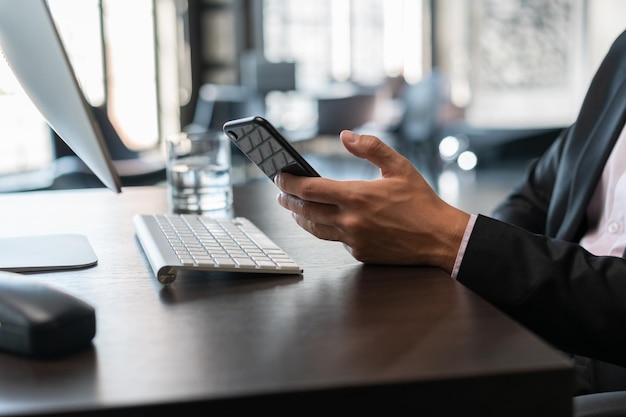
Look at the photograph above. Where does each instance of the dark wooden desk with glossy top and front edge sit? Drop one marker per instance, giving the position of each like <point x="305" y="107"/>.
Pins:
<point x="342" y="336"/>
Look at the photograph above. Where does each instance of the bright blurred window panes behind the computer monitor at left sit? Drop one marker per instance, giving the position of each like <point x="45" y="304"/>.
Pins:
<point x="139" y="105"/>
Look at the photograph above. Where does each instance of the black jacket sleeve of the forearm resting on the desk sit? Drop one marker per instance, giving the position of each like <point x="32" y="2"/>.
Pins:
<point x="571" y="298"/>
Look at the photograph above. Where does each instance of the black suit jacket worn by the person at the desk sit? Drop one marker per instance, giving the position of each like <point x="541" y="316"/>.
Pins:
<point x="526" y="260"/>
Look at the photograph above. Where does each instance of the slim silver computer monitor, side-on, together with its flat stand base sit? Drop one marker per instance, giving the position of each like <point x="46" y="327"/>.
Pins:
<point x="34" y="50"/>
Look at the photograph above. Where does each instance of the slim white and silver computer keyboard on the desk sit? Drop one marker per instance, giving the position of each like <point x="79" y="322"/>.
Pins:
<point x="174" y="242"/>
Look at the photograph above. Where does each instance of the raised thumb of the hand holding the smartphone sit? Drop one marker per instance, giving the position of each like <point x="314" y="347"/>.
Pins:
<point x="375" y="151"/>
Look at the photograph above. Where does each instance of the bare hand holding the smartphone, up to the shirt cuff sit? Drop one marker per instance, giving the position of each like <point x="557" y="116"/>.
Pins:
<point x="397" y="219"/>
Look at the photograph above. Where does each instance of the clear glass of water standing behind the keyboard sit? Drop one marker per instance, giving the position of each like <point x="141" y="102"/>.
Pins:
<point x="199" y="172"/>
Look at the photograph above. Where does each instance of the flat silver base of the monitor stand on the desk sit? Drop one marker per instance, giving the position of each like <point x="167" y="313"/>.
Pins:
<point x="46" y="253"/>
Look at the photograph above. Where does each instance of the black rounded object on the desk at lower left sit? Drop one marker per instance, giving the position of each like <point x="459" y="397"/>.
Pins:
<point x="38" y="320"/>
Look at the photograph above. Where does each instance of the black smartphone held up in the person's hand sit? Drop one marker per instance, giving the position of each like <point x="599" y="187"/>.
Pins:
<point x="266" y="147"/>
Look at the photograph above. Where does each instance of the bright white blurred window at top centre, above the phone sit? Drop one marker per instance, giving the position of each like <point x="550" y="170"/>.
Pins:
<point x="338" y="40"/>
